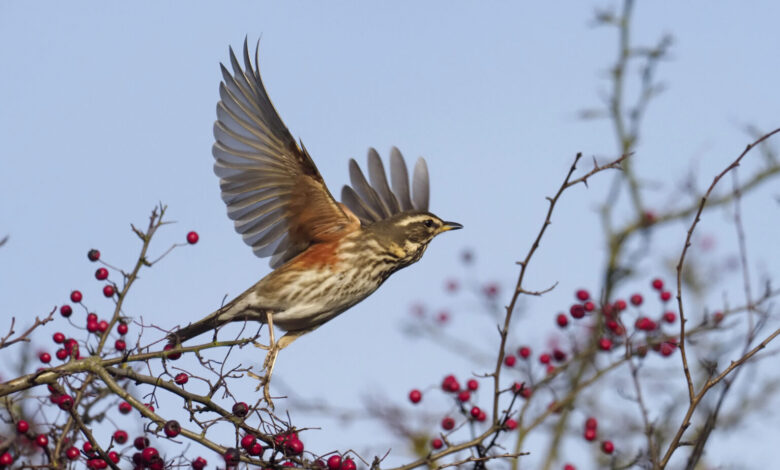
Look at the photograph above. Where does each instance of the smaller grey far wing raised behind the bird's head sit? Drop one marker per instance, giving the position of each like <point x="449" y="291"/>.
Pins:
<point x="376" y="200"/>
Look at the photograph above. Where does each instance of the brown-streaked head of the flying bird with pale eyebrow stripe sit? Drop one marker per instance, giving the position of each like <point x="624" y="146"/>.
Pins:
<point x="406" y="235"/>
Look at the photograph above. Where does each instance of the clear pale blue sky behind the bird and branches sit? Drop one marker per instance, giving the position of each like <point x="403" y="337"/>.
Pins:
<point x="106" y="109"/>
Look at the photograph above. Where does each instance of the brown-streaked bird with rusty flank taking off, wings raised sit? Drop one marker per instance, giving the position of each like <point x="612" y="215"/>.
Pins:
<point x="326" y="256"/>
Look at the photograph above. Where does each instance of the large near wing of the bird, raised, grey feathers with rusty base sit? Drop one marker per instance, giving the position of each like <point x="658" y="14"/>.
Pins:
<point x="272" y="189"/>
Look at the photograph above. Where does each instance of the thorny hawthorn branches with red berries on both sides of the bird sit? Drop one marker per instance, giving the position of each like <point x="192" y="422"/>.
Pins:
<point x="91" y="396"/>
